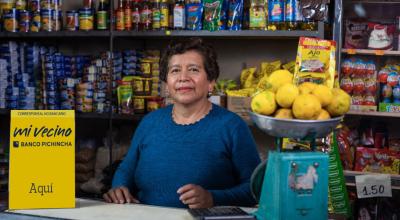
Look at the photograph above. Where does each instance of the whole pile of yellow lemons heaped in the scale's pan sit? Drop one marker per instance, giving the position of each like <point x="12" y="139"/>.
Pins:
<point x="308" y="101"/>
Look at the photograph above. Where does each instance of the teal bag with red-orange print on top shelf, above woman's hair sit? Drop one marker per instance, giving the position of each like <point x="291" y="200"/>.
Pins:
<point x="212" y="10"/>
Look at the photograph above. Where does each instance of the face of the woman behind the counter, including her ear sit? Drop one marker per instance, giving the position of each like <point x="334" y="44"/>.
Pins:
<point x="187" y="79"/>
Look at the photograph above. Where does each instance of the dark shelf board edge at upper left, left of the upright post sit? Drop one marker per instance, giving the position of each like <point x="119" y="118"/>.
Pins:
<point x="55" y="34"/>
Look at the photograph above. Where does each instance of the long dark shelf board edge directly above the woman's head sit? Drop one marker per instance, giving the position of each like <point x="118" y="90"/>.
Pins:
<point x="218" y="34"/>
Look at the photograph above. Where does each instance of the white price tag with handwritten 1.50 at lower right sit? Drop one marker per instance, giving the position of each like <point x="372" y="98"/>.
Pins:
<point x="373" y="185"/>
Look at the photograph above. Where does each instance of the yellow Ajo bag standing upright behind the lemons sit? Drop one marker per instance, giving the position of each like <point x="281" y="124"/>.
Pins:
<point x="315" y="61"/>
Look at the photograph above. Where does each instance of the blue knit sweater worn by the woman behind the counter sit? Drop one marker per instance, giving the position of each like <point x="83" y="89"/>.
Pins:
<point x="217" y="153"/>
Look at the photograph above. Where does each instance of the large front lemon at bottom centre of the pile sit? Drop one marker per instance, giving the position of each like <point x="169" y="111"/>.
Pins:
<point x="306" y="106"/>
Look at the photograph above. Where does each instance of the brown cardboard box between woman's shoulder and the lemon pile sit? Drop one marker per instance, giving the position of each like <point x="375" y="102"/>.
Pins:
<point x="240" y="106"/>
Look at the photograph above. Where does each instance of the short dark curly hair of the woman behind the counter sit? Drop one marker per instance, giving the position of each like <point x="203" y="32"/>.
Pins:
<point x="193" y="44"/>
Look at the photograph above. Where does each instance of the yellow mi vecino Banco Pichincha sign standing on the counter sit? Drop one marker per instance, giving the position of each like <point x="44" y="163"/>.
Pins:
<point x="42" y="159"/>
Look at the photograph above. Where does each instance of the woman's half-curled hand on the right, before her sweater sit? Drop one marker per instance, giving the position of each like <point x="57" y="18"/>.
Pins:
<point x="195" y="196"/>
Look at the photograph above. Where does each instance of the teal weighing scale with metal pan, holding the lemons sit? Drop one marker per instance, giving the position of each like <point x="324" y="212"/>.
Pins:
<point x="292" y="184"/>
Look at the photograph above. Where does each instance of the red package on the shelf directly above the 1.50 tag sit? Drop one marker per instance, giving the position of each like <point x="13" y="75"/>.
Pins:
<point x="377" y="160"/>
